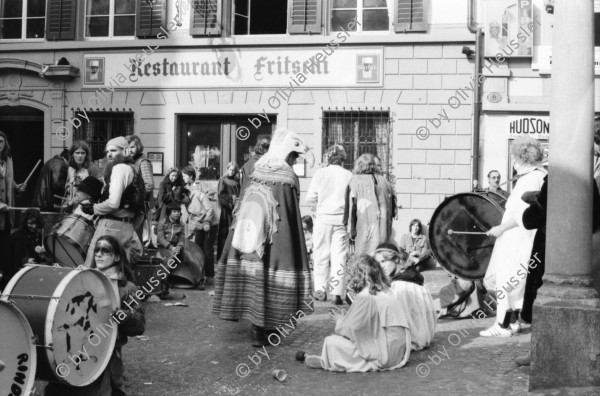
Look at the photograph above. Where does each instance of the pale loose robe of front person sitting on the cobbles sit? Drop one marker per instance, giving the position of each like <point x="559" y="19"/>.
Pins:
<point x="372" y="336"/>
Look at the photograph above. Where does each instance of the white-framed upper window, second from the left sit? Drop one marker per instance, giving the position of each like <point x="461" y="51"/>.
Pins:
<point x="109" y="18"/>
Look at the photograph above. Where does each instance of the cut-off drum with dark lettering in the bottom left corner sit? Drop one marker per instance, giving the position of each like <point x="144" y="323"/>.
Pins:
<point x="18" y="355"/>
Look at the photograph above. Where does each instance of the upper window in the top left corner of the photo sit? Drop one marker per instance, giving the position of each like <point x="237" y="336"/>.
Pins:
<point x="22" y="19"/>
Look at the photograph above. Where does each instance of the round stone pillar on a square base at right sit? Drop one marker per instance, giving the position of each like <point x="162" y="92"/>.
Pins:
<point x="566" y="317"/>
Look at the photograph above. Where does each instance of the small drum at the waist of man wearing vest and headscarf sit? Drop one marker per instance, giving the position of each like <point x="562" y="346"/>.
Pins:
<point x="70" y="239"/>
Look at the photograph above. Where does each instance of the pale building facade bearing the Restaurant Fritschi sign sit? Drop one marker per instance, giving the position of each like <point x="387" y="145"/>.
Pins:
<point x="198" y="80"/>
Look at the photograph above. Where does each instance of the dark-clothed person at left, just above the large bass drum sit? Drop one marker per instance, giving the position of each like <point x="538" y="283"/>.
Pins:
<point x="25" y="246"/>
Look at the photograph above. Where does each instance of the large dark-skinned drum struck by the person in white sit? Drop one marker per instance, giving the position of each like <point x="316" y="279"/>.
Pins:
<point x="465" y="255"/>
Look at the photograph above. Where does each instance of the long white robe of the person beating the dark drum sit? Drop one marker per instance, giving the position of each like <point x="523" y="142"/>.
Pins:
<point x="513" y="248"/>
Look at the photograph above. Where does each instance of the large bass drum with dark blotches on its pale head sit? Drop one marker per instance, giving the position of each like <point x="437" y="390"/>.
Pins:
<point x="70" y="312"/>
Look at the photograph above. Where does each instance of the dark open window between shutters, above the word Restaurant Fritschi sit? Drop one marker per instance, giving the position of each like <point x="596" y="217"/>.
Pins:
<point x="259" y="17"/>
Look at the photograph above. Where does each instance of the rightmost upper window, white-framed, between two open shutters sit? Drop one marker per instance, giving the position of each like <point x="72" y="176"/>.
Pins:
<point x="371" y="15"/>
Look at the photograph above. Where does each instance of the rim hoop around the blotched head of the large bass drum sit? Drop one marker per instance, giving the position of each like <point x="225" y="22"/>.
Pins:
<point x="49" y="324"/>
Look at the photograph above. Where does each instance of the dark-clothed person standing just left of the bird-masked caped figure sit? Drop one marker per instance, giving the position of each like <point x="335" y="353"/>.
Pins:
<point x="229" y="193"/>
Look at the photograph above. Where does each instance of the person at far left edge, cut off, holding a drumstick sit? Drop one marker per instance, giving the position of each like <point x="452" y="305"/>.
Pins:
<point x="8" y="189"/>
